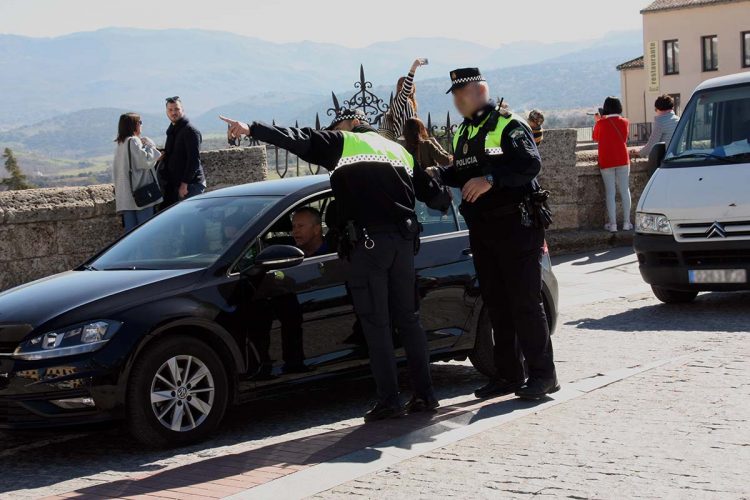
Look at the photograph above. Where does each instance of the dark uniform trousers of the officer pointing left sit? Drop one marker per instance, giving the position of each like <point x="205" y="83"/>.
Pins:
<point x="382" y="284"/>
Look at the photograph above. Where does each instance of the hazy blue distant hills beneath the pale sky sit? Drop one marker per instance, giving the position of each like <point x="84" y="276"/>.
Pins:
<point x="62" y="96"/>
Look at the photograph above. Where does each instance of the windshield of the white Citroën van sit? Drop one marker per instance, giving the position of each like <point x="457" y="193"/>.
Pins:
<point x="715" y="128"/>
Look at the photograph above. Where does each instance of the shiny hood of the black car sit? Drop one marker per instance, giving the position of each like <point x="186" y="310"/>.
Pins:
<point x="40" y="301"/>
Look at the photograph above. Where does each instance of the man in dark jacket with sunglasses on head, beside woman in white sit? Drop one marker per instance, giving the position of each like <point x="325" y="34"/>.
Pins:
<point x="181" y="172"/>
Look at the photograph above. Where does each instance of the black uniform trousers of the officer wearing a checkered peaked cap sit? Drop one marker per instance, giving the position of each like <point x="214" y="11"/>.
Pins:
<point x="508" y="261"/>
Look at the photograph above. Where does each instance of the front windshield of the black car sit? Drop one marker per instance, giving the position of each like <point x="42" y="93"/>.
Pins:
<point x="190" y="235"/>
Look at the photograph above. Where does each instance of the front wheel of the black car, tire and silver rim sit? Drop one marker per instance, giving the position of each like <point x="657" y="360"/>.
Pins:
<point x="163" y="412"/>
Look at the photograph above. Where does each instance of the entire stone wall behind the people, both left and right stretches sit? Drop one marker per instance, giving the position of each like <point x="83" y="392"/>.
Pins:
<point x="44" y="231"/>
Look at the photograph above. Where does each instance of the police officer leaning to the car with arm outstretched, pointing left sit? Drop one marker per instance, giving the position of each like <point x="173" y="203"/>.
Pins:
<point x="375" y="182"/>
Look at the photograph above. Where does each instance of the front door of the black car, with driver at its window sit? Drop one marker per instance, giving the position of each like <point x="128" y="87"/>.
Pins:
<point x="305" y="307"/>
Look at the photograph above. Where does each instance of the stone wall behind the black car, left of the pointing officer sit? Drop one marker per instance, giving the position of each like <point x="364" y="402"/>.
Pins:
<point x="45" y="231"/>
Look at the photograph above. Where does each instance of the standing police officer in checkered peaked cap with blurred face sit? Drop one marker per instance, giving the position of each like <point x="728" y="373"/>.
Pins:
<point x="495" y="164"/>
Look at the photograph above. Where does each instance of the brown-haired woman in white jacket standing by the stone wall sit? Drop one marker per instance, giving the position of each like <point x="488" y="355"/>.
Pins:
<point x="141" y="160"/>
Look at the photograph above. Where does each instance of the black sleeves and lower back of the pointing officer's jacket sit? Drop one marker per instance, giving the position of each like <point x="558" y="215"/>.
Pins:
<point x="370" y="193"/>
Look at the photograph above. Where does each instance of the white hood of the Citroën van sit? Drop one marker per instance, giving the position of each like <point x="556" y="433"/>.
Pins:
<point x="716" y="192"/>
